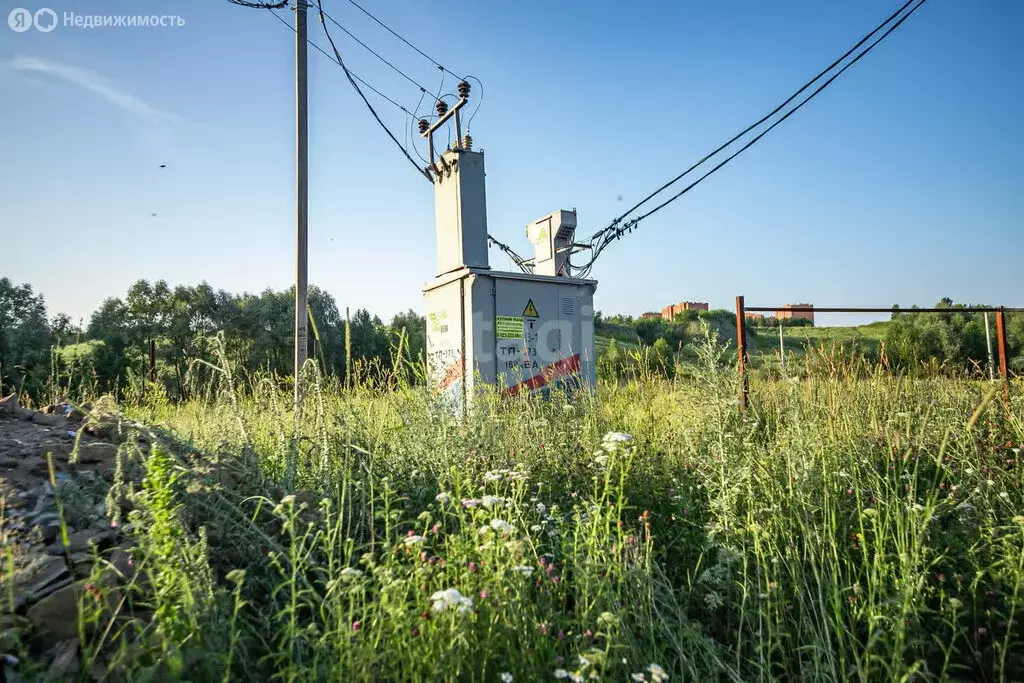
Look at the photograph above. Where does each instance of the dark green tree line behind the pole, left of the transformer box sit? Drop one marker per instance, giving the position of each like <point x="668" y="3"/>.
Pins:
<point x="255" y="331"/>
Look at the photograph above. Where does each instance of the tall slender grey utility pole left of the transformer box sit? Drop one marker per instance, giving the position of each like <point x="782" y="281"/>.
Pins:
<point x="302" y="173"/>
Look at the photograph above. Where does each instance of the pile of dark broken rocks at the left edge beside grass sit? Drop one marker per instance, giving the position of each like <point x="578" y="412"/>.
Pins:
<point x="59" y="514"/>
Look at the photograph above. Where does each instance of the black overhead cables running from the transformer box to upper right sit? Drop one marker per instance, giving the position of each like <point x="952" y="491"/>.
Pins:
<point x="604" y="238"/>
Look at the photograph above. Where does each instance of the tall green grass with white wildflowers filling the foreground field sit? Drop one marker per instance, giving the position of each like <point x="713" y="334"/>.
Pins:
<point x="855" y="526"/>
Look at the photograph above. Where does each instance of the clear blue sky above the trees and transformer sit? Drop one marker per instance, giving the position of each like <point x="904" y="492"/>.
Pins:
<point x="901" y="184"/>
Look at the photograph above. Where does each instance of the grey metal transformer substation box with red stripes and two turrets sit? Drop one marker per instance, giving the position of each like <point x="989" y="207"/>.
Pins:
<point x="519" y="332"/>
